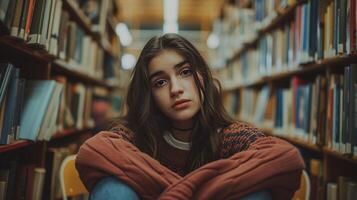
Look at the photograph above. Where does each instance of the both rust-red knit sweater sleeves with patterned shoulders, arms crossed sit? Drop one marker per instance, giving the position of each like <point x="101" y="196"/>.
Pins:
<point x="249" y="162"/>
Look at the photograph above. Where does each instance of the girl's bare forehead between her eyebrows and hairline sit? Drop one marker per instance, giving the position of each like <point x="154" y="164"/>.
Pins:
<point x="165" y="60"/>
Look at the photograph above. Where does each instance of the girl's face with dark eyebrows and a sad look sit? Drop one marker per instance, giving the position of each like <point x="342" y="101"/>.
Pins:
<point x="173" y="87"/>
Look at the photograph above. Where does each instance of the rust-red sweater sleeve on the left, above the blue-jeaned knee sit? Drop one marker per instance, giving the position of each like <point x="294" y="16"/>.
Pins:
<point x="110" y="154"/>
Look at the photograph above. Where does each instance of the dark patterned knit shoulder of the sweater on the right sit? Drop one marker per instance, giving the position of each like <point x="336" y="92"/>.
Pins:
<point x="238" y="137"/>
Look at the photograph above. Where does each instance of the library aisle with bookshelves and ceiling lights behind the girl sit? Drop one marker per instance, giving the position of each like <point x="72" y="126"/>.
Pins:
<point x="288" y="67"/>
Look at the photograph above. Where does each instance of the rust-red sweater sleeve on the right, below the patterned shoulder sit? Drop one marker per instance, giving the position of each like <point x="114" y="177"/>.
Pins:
<point x="269" y="163"/>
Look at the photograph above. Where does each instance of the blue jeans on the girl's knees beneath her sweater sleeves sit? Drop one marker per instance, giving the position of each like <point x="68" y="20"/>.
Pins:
<point x="112" y="189"/>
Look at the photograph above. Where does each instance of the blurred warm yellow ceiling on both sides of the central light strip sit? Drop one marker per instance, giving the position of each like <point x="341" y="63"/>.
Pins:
<point x="148" y="14"/>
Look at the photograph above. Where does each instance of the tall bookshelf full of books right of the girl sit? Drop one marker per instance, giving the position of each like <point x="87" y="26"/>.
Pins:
<point x="291" y="74"/>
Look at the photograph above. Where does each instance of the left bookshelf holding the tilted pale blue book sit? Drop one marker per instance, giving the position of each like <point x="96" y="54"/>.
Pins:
<point x="60" y="84"/>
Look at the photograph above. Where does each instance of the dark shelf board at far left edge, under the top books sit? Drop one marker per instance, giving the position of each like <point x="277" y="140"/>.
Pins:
<point x="22" y="47"/>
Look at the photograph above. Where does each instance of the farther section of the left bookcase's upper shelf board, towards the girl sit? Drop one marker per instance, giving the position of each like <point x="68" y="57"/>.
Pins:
<point x="61" y="67"/>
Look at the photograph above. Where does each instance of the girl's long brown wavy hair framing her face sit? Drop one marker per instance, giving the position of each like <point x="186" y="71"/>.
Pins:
<point x="147" y="122"/>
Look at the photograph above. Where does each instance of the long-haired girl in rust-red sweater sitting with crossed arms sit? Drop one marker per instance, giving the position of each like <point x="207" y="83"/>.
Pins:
<point x="177" y="142"/>
